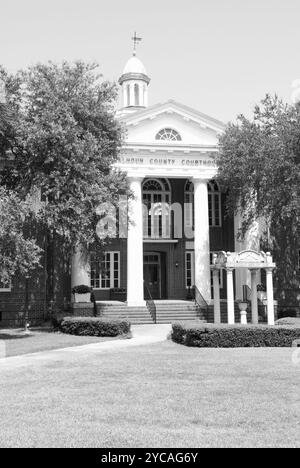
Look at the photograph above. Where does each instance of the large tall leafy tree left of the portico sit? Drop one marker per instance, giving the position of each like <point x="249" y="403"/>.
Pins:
<point x="65" y="141"/>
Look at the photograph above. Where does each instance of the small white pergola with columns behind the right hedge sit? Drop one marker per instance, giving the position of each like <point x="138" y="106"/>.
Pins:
<point x="253" y="261"/>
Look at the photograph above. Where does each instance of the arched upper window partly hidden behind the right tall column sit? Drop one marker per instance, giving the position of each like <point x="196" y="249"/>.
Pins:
<point x="214" y="204"/>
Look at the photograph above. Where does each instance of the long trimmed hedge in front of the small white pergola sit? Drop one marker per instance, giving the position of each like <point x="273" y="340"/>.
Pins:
<point x="234" y="336"/>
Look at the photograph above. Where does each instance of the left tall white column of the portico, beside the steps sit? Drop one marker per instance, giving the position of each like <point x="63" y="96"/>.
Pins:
<point x="135" y="274"/>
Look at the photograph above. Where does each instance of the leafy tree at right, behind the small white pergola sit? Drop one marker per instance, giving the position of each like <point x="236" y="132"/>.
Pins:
<point x="259" y="163"/>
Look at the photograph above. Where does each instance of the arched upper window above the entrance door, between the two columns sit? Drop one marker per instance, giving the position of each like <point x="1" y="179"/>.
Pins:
<point x="156" y="203"/>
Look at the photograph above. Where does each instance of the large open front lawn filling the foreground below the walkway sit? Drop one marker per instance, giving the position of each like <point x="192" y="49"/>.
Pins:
<point x="161" y="395"/>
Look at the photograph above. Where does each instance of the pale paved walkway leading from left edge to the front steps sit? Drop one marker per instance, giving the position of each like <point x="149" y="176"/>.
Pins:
<point x="141" y="335"/>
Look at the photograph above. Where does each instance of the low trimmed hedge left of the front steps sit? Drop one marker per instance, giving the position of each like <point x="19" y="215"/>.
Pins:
<point x="94" y="326"/>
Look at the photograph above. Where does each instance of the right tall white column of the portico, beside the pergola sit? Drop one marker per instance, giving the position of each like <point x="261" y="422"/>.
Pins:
<point x="202" y="260"/>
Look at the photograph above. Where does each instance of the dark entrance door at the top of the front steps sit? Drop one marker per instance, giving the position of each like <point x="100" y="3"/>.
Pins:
<point x="152" y="275"/>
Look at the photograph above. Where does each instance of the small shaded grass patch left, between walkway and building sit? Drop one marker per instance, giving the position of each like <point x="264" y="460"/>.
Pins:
<point x="17" y="343"/>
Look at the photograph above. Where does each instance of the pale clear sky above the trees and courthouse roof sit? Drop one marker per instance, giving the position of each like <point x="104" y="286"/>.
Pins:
<point x="218" y="56"/>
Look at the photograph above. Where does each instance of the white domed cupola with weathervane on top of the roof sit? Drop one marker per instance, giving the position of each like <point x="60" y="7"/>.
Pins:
<point x="134" y="82"/>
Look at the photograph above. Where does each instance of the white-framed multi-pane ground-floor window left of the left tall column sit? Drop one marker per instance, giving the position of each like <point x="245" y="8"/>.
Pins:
<point x="105" y="274"/>
